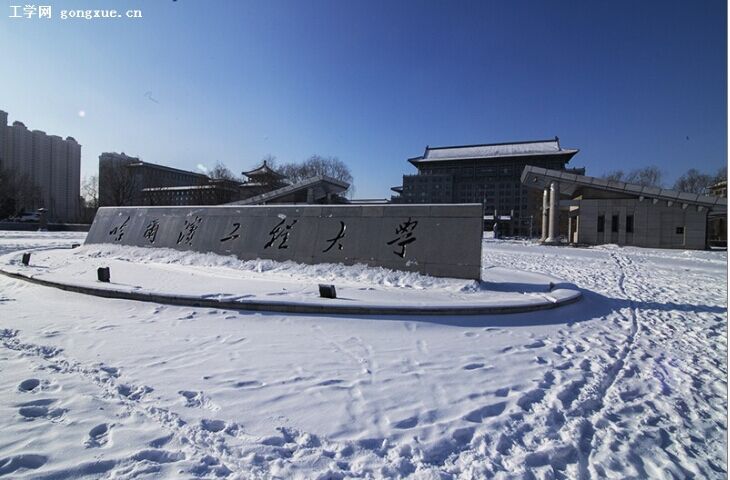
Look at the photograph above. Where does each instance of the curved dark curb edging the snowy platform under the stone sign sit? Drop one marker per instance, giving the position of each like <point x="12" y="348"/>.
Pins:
<point x="292" y="307"/>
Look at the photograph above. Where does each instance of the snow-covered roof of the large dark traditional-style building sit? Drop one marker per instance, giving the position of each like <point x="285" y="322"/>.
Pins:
<point x="493" y="150"/>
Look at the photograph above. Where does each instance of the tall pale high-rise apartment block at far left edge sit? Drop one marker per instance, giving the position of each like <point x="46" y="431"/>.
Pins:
<point x="48" y="166"/>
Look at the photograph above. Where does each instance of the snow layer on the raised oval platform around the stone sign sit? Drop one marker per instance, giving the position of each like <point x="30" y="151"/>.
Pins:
<point x="206" y="276"/>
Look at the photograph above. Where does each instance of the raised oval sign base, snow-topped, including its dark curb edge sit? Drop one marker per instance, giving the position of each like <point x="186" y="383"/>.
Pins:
<point x="502" y="291"/>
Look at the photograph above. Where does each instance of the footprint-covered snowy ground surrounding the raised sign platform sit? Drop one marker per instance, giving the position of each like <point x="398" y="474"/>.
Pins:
<point x="631" y="382"/>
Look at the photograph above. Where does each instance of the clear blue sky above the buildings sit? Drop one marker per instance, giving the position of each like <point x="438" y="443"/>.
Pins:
<point x="372" y="82"/>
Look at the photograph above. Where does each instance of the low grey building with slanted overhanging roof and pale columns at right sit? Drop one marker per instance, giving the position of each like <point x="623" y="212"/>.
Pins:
<point x="601" y="211"/>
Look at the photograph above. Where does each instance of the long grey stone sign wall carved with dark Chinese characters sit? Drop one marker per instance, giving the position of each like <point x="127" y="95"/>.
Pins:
<point x="439" y="240"/>
